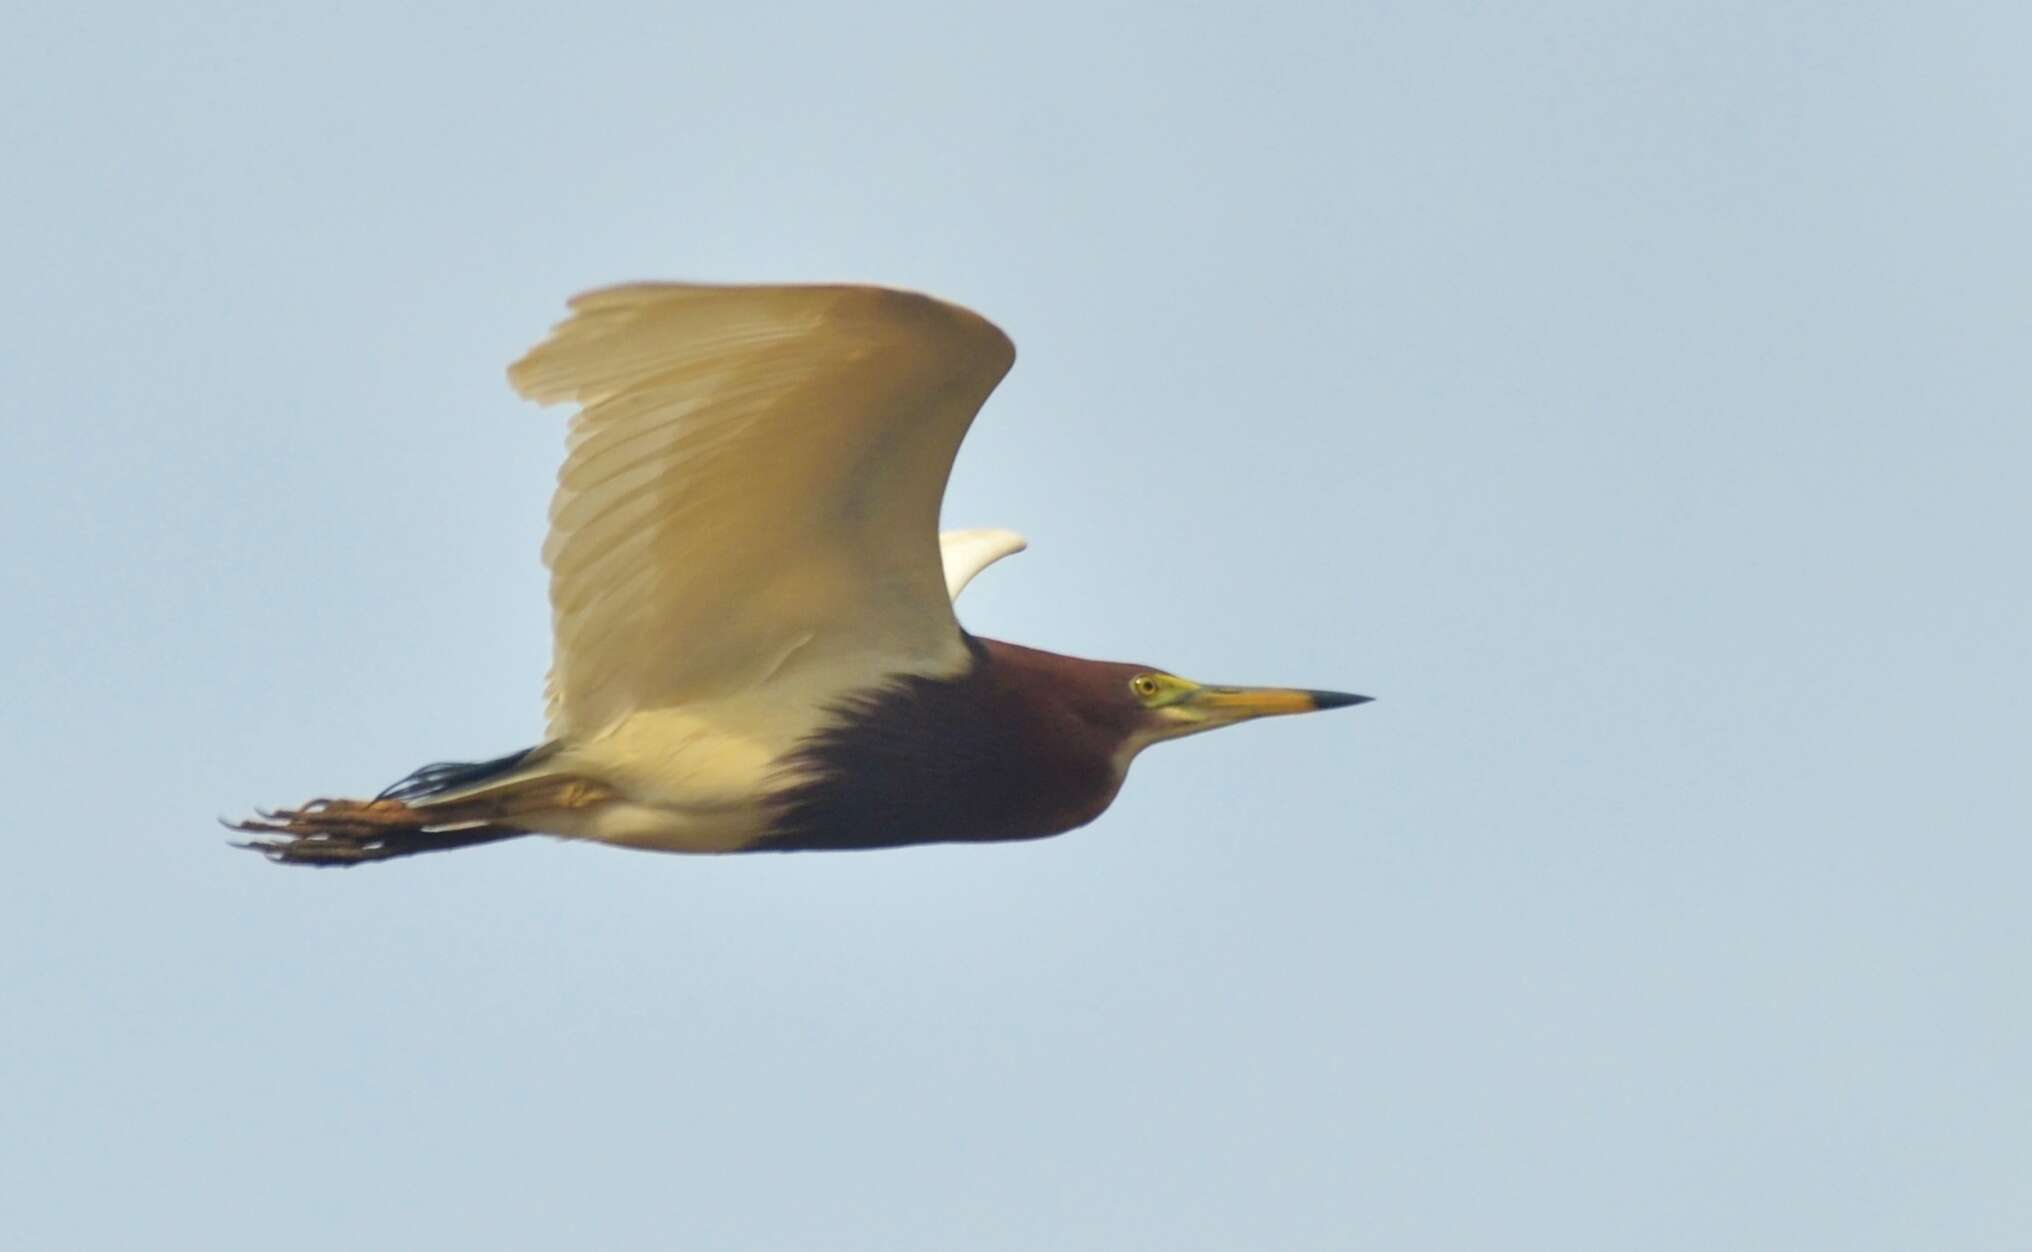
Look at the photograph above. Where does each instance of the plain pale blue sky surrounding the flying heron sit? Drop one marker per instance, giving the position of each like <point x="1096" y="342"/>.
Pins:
<point x="1633" y="397"/>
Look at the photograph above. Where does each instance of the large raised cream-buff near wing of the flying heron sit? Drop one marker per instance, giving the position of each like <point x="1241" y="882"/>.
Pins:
<point x="755" y="475"/>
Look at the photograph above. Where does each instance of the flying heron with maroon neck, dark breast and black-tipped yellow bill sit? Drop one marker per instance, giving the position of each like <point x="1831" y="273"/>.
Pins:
<point x="755" y="643"/>
